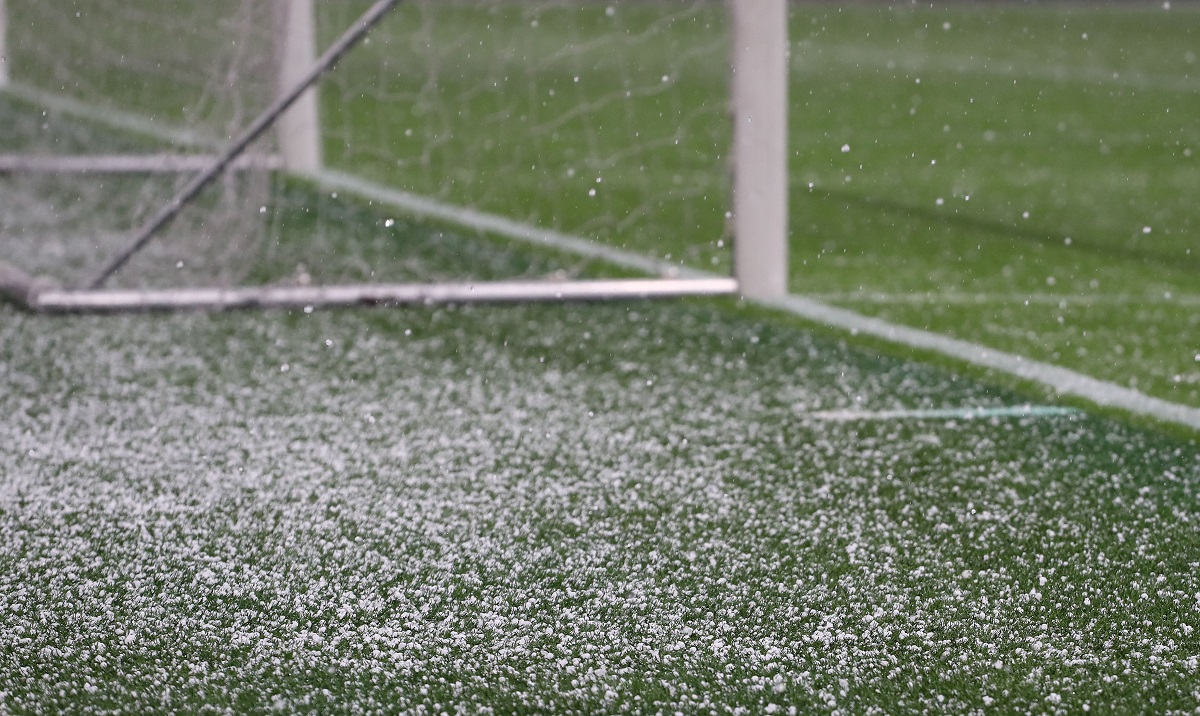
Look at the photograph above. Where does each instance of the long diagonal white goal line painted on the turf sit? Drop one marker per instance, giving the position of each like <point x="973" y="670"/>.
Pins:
<point x="1063" y="381"/>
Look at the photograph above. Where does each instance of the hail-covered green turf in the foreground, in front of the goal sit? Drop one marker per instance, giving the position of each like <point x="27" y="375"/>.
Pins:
<point x="599" y="509"/>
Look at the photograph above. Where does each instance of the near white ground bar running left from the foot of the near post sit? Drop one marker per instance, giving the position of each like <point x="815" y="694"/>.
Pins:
<point x="211" y="299"/>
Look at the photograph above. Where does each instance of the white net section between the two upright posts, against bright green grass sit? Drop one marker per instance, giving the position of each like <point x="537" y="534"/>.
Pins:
<point x="607" y="121"/>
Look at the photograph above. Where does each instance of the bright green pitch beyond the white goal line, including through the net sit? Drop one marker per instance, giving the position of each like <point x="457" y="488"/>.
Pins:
<point x="1021" y="177"/>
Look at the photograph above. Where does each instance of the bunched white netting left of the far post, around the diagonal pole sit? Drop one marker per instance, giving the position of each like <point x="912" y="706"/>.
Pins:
<point x="113" y="79"/>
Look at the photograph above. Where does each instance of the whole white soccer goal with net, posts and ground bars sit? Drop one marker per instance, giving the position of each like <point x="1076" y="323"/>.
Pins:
<point x="284" y="153"/>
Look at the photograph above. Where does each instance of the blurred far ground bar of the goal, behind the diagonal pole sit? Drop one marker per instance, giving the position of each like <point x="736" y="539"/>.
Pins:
<point x="124" y="164"/>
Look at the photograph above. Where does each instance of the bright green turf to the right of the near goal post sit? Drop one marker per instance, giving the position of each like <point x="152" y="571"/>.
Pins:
<point x="1024" y="154"/>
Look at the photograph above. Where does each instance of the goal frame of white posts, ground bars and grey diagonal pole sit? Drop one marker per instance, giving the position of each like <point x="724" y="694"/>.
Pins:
<point x="759" y="169"/>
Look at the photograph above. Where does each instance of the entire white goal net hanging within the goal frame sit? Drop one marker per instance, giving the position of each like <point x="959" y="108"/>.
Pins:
<point x="602" y="121"/>
